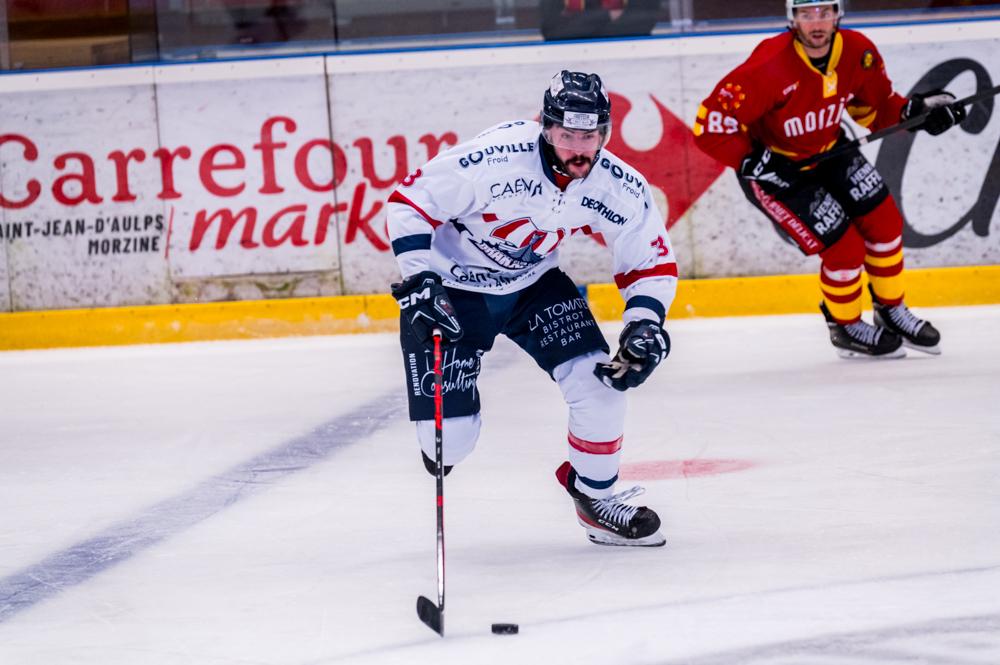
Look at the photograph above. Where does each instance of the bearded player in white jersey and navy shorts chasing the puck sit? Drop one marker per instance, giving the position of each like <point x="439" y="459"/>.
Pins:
<point x="478" y="229"/>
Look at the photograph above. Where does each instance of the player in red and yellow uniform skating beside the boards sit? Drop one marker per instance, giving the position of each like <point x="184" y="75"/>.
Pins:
<point x="783" y="105"/>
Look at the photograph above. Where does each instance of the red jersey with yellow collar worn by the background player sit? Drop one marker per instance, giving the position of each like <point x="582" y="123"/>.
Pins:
<point x="778" y="98"/>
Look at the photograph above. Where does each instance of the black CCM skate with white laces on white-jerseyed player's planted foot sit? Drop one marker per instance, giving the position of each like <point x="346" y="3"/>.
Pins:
<point x="610" y="521"/>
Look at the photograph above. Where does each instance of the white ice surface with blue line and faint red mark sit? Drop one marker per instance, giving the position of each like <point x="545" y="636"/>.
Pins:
<point x="263" y="502"/>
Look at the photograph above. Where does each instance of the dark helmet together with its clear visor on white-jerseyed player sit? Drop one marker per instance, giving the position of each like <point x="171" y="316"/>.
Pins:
<point x="576" y="112"/>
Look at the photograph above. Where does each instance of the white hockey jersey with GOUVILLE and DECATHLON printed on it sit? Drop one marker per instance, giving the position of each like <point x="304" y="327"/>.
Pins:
<point x="487" y="216"/>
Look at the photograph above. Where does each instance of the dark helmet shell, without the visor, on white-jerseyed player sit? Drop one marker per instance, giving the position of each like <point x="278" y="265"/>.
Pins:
<point x="577" y="101"/>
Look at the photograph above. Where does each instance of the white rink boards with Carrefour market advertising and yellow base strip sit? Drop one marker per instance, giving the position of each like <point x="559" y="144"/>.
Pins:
<point x="263" y="181"/>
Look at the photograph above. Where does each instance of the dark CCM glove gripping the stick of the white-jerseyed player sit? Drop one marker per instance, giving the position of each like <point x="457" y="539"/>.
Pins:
<point x="425" y="306"/>
